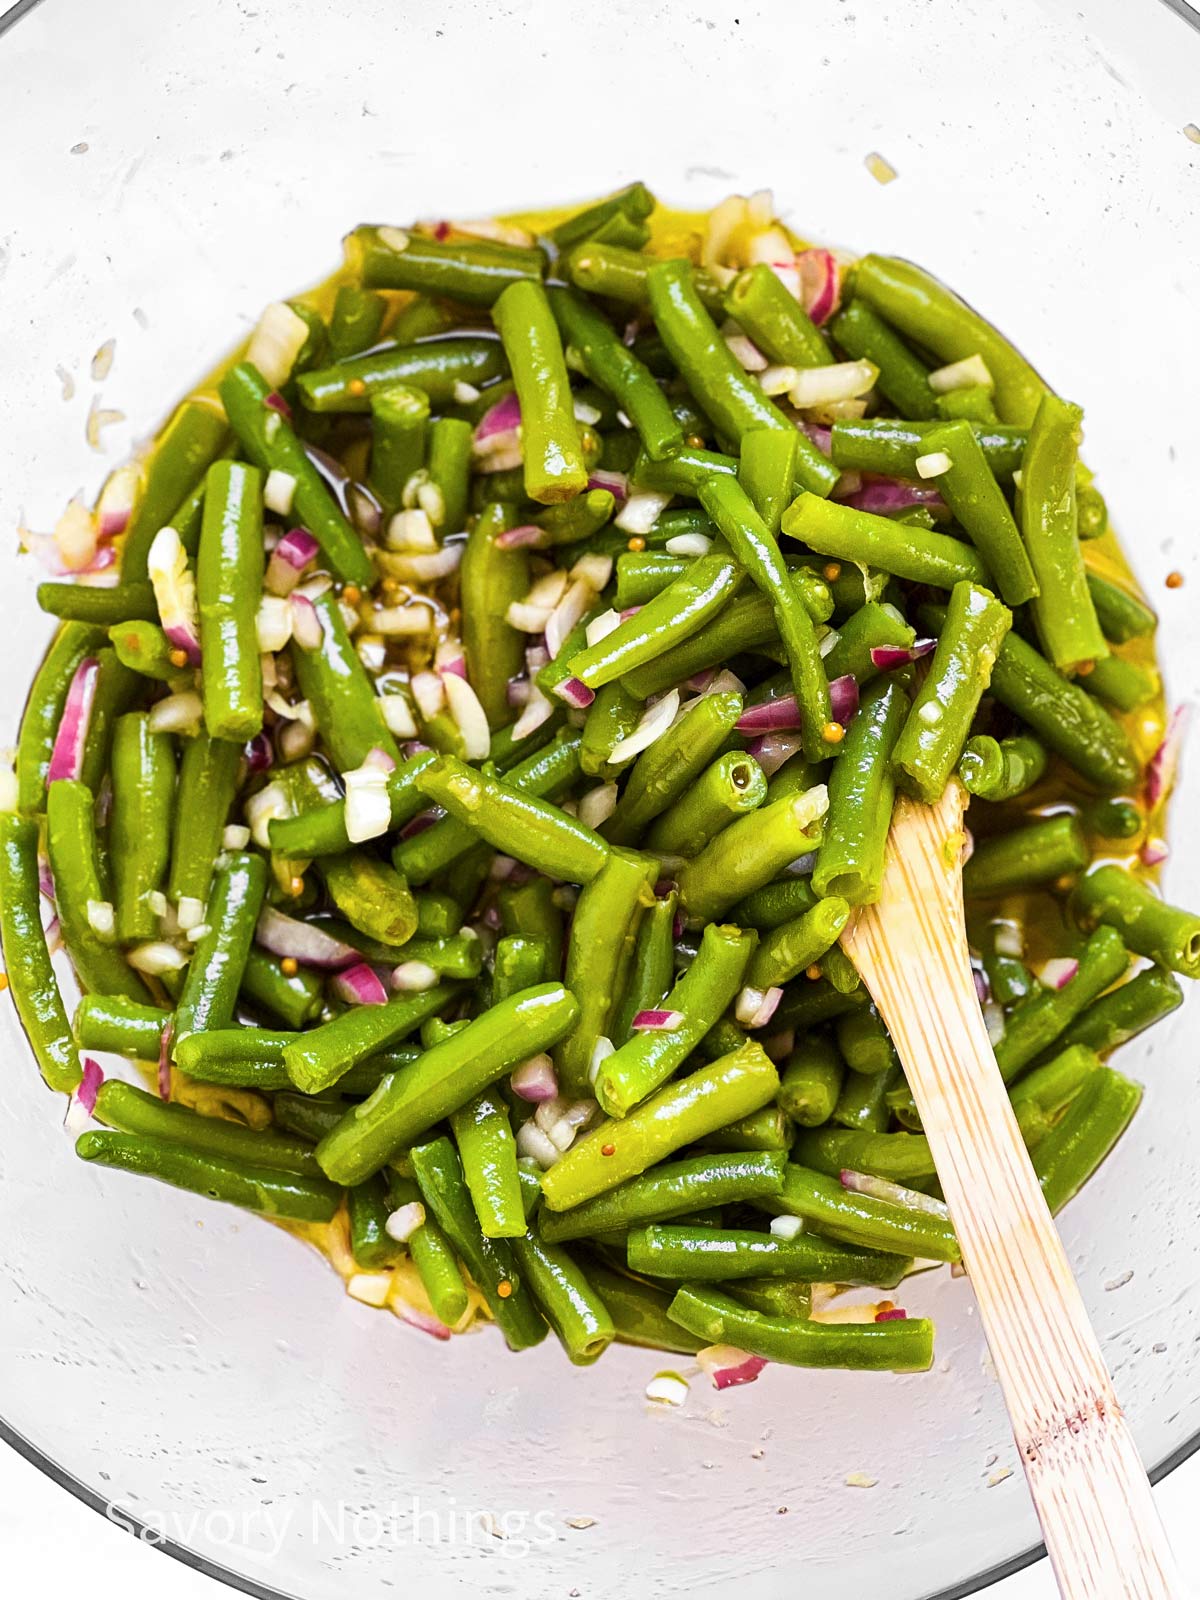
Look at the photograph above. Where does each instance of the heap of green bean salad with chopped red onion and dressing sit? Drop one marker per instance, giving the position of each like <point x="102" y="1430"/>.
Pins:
<point x="476" y="721"/>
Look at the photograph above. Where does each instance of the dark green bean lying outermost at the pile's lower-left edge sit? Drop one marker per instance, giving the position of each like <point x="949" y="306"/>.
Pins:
<point x="255" y="1188"/>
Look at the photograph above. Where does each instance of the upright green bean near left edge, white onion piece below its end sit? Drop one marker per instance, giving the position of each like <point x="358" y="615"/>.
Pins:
<point x="140" y="833"/>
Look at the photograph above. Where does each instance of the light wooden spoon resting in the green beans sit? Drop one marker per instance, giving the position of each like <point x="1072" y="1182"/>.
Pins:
<point x="1089" y="1486"/>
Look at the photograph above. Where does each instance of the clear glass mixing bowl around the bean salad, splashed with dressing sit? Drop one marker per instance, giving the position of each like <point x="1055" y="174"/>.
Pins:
<point x="166" y="174"/>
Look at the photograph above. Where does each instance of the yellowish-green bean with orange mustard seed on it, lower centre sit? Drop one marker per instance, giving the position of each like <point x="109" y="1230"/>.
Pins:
<point x="676" y="1116"/>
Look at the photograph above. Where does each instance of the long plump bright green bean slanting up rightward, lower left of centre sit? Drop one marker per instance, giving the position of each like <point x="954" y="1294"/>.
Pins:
<point x="444" y="1079"/>
